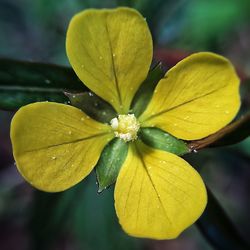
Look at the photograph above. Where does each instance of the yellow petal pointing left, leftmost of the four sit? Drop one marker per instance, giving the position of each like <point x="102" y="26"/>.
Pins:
<point x="55" y="146"/>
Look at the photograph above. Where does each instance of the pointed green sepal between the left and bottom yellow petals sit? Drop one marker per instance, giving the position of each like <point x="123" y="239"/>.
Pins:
<point x="110" y="162"/>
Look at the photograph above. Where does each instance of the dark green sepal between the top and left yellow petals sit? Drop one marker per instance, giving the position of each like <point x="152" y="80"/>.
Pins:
<point x="92" y="105"/>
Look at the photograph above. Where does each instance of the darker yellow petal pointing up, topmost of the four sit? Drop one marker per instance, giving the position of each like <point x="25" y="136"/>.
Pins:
<point x="111" y="52"/>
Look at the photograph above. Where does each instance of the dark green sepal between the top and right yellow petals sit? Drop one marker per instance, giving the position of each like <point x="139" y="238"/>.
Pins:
<point x="145" y="92"/>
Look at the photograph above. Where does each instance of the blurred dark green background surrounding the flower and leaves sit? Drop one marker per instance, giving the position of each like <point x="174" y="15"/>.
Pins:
<point x="79" y="219"/>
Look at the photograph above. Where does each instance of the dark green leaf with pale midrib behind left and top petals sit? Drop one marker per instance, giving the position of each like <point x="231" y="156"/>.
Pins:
<point x="22" y="83"/>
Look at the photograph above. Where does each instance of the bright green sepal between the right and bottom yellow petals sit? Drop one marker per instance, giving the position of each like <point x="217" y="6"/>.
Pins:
<point x="157" y="138"/>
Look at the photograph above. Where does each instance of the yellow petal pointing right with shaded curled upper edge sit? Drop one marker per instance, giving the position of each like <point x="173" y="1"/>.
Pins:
<point x="196" y="98"/>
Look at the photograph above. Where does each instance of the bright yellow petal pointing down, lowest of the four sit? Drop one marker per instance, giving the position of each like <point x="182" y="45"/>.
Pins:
<point x="157" y="194"/>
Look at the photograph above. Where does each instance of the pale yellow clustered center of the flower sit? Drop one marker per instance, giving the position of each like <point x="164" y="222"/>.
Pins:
<point x="125" y="127"/>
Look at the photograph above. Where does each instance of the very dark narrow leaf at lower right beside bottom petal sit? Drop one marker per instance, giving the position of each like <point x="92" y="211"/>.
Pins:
<point x="217" y="227"/>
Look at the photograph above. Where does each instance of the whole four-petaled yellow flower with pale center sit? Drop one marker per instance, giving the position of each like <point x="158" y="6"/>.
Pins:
<point x="157" y="193"/>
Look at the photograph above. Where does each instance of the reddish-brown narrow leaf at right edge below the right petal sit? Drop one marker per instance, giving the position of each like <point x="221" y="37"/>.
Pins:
<point x="229" y="135"/>
